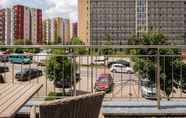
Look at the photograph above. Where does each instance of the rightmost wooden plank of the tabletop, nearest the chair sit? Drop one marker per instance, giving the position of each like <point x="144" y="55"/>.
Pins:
<point x="15" y="106"/>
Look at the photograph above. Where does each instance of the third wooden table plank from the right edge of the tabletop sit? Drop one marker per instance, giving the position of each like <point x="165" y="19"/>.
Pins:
<point x="10" y="89"/>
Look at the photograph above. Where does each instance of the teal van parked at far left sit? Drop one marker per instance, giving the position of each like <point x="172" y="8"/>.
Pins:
<point x="20" y="59"/>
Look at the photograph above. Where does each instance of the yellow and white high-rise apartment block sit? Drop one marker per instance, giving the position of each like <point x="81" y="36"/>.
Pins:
<point x="56" y="30"/>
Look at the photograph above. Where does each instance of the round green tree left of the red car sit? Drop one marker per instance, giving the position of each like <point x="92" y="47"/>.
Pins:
<point x="60" y="68"/>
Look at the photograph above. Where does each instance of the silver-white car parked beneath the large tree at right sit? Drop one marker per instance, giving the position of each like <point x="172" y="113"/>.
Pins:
<point x="148" y="89"/>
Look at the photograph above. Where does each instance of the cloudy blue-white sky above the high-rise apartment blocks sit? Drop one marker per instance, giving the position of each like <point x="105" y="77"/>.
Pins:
<point x="51" y="8"/>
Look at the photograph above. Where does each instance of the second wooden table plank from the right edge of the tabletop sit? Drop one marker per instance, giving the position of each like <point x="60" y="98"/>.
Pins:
<point x="11" y="96"/>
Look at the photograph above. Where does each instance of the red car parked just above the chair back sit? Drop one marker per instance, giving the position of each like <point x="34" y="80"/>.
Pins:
<point x="104" y="82"/>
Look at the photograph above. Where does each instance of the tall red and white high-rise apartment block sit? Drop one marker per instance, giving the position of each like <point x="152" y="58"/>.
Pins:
<point x="22" y="23"/>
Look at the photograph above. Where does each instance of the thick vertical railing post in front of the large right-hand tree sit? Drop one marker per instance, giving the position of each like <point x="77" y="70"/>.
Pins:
<point x="158" y="80"/>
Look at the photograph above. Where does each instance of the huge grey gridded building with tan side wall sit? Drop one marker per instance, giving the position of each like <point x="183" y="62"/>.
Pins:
<point x="122" y="18"/>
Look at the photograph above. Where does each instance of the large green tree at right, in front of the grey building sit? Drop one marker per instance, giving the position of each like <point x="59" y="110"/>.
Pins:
<point x="170" y="67"/>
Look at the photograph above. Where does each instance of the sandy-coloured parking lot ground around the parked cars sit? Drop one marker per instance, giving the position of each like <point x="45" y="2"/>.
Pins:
<point x="126" y="86"/>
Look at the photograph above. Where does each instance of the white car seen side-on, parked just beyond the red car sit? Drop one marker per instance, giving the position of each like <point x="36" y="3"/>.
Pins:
<point x="120" y="68"/>
